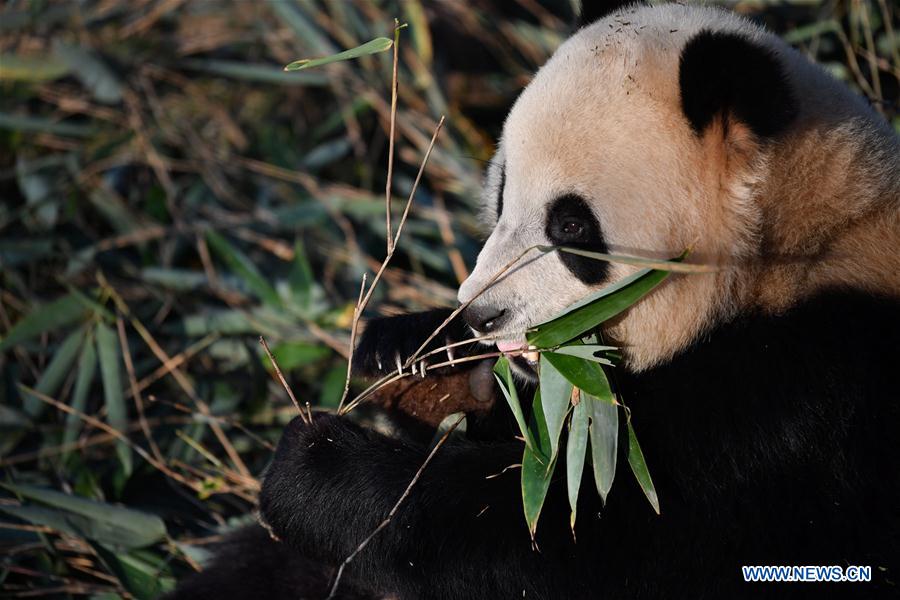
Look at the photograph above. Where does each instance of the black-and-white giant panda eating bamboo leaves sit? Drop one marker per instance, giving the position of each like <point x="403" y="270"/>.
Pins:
<point x="765" y="393"/>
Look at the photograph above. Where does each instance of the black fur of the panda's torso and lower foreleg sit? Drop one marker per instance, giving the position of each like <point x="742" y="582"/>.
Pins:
<point x="773" y="441"/>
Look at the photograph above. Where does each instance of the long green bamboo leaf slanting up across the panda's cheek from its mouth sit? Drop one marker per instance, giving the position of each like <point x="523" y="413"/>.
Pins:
<point x="595" y="309"/>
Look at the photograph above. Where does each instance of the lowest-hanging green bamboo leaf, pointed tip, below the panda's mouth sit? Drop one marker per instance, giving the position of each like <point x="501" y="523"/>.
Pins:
<point x="537" y="467"/>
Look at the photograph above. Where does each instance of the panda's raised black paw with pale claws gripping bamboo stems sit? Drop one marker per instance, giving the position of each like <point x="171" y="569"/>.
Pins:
<point x="388" y="342"/>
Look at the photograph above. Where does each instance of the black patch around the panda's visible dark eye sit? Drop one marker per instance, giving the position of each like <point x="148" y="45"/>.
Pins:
<point x="570" y="222"/>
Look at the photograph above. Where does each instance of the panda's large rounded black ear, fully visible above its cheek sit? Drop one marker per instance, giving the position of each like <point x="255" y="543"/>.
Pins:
<point x="725" y="74"/>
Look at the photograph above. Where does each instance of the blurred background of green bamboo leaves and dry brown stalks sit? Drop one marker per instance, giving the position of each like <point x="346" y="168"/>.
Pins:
<point x="168" y="194"/>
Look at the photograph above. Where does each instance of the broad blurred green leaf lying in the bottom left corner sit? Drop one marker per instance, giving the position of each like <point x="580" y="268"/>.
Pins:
<point x="83" y="517"/>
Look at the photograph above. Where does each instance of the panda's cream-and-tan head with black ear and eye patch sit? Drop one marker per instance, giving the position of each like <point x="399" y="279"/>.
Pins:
<point x="649" y="132"/>
